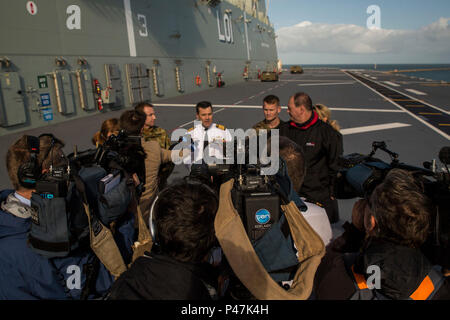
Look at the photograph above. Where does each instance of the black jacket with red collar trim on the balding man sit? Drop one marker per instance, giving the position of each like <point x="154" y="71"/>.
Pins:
<point x="322" y="145"/>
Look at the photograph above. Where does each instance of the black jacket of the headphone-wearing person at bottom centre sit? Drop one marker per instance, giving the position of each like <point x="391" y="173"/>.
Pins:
<point x="159" y="277"/>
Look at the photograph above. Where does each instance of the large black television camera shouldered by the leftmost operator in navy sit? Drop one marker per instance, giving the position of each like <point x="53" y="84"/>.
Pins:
<point x="97" y="177"/>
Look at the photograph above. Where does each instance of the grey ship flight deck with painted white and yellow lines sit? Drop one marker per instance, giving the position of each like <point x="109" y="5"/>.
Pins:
<point x="368" y="105"/>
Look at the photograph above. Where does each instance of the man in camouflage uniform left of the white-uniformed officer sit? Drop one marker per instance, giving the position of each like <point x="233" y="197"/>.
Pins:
<point x="155" y="133"/>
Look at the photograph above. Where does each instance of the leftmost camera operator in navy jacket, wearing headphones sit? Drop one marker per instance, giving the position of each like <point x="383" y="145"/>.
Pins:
<point x="24" y="273"/>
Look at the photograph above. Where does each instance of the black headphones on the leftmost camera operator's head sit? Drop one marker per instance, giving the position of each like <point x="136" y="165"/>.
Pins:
<point x="29" y="172"/>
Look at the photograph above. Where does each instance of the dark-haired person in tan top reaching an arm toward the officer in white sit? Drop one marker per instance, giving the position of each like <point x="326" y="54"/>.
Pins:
<point x="132" y="123"/>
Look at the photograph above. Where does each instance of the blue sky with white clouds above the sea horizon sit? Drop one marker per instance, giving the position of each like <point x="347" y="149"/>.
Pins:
<point x="337" y="32"/>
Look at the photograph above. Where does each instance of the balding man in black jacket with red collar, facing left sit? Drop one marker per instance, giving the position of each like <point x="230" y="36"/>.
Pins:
<point x="322" y="145"/>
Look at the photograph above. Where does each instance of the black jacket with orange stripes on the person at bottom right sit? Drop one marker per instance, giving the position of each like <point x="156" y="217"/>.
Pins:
<point x="402" y="269"/>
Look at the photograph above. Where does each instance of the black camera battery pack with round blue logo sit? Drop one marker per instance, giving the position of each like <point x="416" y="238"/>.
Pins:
<point x="261" y="212"/>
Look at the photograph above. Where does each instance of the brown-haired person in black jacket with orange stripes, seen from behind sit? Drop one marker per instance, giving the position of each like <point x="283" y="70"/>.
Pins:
<point x="386" y="234"/>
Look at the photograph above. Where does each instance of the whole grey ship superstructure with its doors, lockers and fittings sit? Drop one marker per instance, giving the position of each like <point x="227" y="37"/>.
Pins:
<point x="62" y="60"/>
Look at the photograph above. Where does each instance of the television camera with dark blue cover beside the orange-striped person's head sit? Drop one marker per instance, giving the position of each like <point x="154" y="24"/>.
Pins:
<point x="360" y="174"/>
